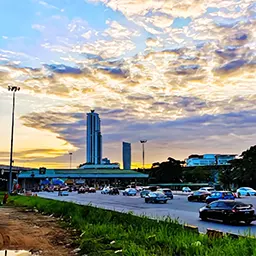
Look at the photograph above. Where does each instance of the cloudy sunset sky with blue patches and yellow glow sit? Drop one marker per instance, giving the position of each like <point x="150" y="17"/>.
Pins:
<point x="180" y="74"/>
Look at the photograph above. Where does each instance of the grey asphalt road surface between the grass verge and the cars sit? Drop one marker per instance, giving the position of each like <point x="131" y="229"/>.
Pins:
<point x="178" y="208"/>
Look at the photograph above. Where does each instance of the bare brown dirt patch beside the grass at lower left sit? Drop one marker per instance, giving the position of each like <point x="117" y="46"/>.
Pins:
<point x="22" y="229"/>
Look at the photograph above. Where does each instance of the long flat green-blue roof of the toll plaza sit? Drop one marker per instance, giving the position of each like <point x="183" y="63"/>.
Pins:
<point x="82" y="173"/>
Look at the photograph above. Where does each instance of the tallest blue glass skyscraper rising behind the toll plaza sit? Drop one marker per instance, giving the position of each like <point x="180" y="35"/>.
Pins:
<point x="94" y="139"/>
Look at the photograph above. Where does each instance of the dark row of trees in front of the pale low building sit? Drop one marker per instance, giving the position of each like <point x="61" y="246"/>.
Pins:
<point x="239" y="172"/>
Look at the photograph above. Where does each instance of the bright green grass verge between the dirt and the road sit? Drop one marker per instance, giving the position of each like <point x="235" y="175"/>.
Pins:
<point x="105" y="232"/>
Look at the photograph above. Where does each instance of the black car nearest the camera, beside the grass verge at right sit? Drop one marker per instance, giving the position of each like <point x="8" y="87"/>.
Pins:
<point x="228" y="211"/>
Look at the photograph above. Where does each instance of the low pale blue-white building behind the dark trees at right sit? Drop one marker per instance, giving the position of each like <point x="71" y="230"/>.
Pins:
<point x="209" y="159"/>
